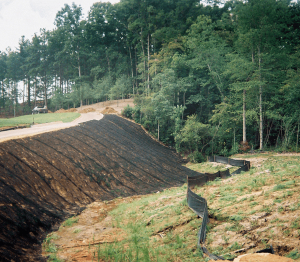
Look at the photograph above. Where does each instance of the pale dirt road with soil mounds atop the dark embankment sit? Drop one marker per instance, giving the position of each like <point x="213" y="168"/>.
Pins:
<point x="49" y="127"/>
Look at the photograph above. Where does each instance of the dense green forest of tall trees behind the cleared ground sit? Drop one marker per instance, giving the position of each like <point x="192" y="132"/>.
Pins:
<point x="213" y="78"/>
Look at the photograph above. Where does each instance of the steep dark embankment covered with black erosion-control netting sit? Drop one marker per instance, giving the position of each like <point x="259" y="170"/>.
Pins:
<point x="48" y="177"/>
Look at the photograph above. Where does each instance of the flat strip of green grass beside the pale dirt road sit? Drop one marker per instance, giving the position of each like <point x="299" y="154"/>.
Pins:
<point x="38" y="119"/>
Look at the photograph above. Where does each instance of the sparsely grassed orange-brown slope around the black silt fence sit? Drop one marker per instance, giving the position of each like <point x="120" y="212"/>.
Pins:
<point x="248" y="212"/>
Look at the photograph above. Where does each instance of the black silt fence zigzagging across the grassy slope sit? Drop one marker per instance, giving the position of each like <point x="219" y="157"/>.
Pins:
<point x="199" y="204"/>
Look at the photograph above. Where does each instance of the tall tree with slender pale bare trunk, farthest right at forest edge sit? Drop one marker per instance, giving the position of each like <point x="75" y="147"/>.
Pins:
<point x="260" y="25"/>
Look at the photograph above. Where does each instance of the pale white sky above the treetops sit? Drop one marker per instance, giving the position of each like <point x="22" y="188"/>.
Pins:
<point x="27" y="17"/>
